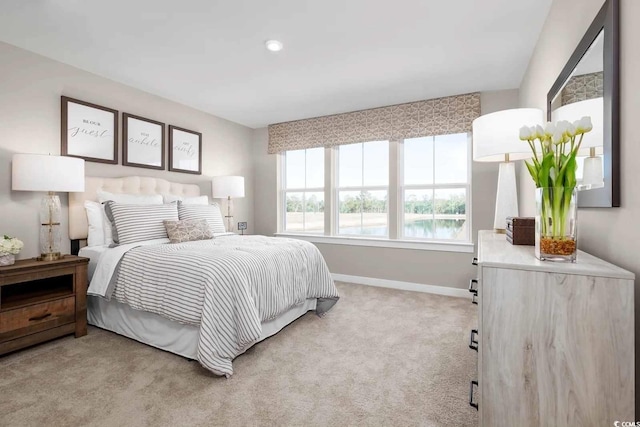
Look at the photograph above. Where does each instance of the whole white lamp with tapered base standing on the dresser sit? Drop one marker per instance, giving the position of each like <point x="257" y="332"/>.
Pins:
<point x="496" y="139"/>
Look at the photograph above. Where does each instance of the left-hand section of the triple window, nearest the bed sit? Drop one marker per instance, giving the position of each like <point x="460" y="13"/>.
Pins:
<point x="304" y="191"/>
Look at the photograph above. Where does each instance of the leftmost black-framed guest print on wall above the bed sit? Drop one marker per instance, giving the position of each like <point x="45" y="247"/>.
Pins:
<point x="89" y="131"/>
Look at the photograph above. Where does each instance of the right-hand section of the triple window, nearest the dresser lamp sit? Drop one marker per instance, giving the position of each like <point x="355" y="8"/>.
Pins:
<point x="435" y="188"/>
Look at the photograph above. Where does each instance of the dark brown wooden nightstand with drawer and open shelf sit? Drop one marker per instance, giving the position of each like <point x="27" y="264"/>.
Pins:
<point x="42" y="300"/>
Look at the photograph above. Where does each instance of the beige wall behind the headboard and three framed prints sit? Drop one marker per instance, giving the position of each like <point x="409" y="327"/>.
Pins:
<point x="30" y="90"/>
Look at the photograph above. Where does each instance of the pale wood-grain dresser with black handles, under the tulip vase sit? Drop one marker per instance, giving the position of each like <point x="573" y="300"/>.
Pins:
<point x="555" y="340"/>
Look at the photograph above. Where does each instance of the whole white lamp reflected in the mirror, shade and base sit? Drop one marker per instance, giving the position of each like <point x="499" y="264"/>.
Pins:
<point x="592" y="142"/>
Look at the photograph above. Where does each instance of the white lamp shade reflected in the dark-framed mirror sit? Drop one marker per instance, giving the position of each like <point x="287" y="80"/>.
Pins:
<point x="593" y="108"/>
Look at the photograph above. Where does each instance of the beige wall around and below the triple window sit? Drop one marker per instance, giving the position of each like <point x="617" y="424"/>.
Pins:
<point x="415" y="266"/>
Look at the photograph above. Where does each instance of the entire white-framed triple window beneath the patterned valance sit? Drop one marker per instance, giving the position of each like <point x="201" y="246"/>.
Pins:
<point x="426" y="181"/>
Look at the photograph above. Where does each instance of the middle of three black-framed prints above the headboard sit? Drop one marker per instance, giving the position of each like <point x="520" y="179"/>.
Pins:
<point x="142" y="142"/>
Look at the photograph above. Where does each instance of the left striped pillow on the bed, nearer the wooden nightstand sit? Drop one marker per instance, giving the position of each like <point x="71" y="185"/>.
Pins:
<point x="135" y="223"/>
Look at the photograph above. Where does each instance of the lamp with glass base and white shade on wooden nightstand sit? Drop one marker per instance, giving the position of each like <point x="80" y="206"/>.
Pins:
<point x="38" y="172"/>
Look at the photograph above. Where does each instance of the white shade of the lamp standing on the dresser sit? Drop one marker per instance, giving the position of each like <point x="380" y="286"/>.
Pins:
<point x="497" y="134"/>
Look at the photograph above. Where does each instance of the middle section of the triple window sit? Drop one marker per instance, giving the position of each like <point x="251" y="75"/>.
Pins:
<point x="362" y="189"/>
